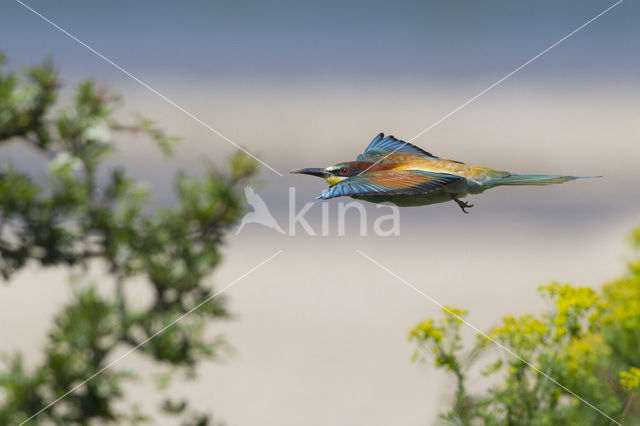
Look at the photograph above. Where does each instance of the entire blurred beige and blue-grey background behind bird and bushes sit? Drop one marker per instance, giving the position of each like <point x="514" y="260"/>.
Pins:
<point x="320" y="332"/>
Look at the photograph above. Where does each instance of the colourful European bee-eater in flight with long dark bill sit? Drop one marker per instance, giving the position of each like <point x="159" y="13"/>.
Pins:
<point x="391" y="170"/>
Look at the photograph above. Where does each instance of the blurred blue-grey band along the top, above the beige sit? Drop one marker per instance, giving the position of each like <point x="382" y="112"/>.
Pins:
<point x="380" y="40"/>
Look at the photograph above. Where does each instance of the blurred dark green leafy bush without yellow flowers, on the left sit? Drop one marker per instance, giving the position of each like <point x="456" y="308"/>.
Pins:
<point x="80" y="214"/>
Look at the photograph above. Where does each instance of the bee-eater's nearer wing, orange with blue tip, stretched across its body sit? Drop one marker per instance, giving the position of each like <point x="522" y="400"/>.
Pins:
<point x="390" y="182"/>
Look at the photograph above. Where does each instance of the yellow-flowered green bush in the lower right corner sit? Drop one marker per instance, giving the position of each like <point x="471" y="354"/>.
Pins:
<point x="589" y="342"/>
